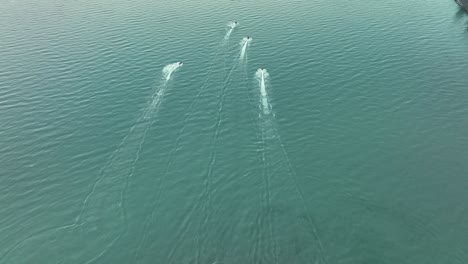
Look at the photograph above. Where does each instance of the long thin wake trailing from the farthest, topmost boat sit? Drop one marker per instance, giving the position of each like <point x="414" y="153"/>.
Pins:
<point x="188" y="116"/>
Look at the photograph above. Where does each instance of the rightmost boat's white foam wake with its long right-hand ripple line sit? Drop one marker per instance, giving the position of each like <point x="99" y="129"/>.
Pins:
<point x="270" y="132"/>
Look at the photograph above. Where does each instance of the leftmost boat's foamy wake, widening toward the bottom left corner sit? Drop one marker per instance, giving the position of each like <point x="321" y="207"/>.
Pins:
<point x="103" y="209"/>
